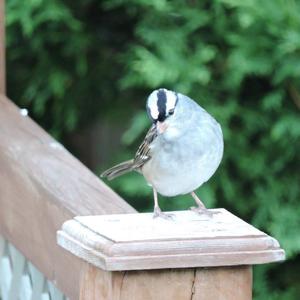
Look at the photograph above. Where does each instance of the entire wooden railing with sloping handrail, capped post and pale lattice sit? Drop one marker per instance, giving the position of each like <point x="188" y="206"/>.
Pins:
<point x="47" y="252"/>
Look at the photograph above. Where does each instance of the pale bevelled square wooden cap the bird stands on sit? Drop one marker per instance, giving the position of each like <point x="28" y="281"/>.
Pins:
<point x="140" y="242"/>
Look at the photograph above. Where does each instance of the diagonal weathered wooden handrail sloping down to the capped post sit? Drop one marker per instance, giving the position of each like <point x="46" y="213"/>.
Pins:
<point x="41" y="186"/>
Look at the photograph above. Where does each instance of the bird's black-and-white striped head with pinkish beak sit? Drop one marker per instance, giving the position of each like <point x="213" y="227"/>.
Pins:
<point x="161" y="106"/>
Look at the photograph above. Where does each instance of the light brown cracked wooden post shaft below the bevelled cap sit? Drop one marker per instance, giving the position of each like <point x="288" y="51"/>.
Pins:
<point x="223" y="283"/>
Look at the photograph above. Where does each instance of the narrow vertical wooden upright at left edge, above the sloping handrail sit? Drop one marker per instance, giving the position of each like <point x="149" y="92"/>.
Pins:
<point x="2" y="48"/>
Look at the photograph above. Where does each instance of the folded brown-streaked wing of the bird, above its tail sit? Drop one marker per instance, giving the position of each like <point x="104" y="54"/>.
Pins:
<point x="143" y="153"/>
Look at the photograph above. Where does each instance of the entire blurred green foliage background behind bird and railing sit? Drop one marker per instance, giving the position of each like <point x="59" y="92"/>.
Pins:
<point x="84" y="69"/>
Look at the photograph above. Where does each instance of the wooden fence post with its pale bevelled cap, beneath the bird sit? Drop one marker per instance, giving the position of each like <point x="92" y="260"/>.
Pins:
<point x="193" y="256"/>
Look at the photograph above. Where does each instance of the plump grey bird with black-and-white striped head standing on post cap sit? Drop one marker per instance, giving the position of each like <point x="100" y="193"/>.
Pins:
<point x="181" y="151"/>
